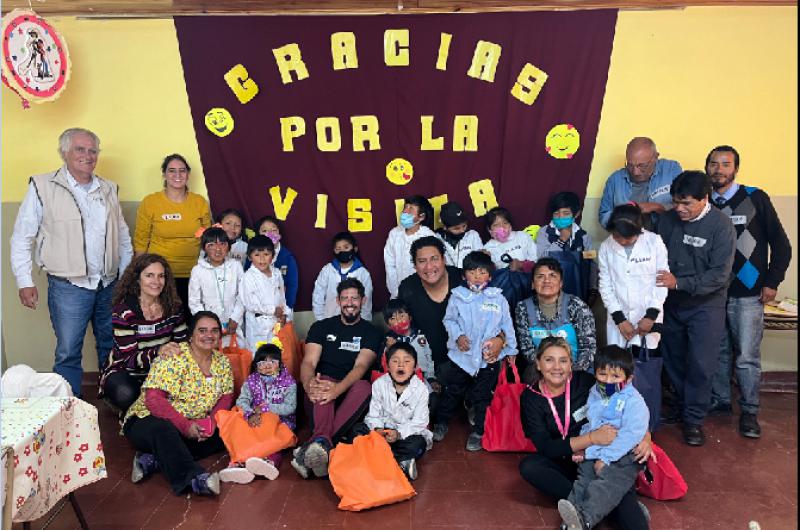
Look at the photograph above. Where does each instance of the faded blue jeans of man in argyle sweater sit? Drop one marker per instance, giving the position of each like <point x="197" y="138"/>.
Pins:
<point x="742" y="341"/>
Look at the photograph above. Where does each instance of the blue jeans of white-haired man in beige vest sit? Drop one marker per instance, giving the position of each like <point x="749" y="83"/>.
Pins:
<point x="71" y="310"/>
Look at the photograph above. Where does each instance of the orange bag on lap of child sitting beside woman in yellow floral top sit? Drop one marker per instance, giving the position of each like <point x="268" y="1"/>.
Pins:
<point x="243" y="441"/>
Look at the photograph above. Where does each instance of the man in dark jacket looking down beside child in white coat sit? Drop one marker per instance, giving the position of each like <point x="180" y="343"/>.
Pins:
<point x="700" y="241"/>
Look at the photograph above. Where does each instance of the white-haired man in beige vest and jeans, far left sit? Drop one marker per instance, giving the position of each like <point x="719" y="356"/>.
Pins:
<point x="72" y="221"/>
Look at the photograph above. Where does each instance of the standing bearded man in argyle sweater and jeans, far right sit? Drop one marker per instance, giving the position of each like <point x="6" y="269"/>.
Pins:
<point x="756" y="276"/>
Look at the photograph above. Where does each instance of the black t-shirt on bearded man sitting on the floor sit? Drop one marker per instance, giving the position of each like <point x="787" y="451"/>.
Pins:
<point x="341" y="344"/>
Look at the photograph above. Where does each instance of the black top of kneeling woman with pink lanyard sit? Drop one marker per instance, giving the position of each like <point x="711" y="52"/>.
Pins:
<point x="540" y="425"/>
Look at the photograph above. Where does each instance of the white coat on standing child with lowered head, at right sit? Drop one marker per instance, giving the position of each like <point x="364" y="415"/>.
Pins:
<point x="628" y="284"/>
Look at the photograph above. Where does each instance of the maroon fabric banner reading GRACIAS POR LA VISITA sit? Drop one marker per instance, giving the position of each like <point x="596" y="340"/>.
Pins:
<point x="472" y="101"/>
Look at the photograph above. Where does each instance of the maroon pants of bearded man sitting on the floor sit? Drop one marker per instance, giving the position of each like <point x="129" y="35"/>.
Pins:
<point x="331" y="419"/>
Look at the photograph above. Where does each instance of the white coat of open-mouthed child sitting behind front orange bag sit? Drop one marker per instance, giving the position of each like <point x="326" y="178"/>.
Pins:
<point x="408" y="414"/>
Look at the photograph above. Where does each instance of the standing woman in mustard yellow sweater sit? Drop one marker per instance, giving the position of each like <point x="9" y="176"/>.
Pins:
<point x="167" y="221"/>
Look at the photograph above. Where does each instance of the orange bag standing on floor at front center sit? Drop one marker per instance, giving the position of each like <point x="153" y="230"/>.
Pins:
<point x="364" y="474"/>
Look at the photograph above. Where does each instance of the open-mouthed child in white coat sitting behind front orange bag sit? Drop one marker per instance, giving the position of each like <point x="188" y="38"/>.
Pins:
<point x="399" y="409"/>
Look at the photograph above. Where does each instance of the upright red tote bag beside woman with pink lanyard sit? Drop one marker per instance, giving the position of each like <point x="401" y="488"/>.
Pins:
<point x="503" y="427"/>
